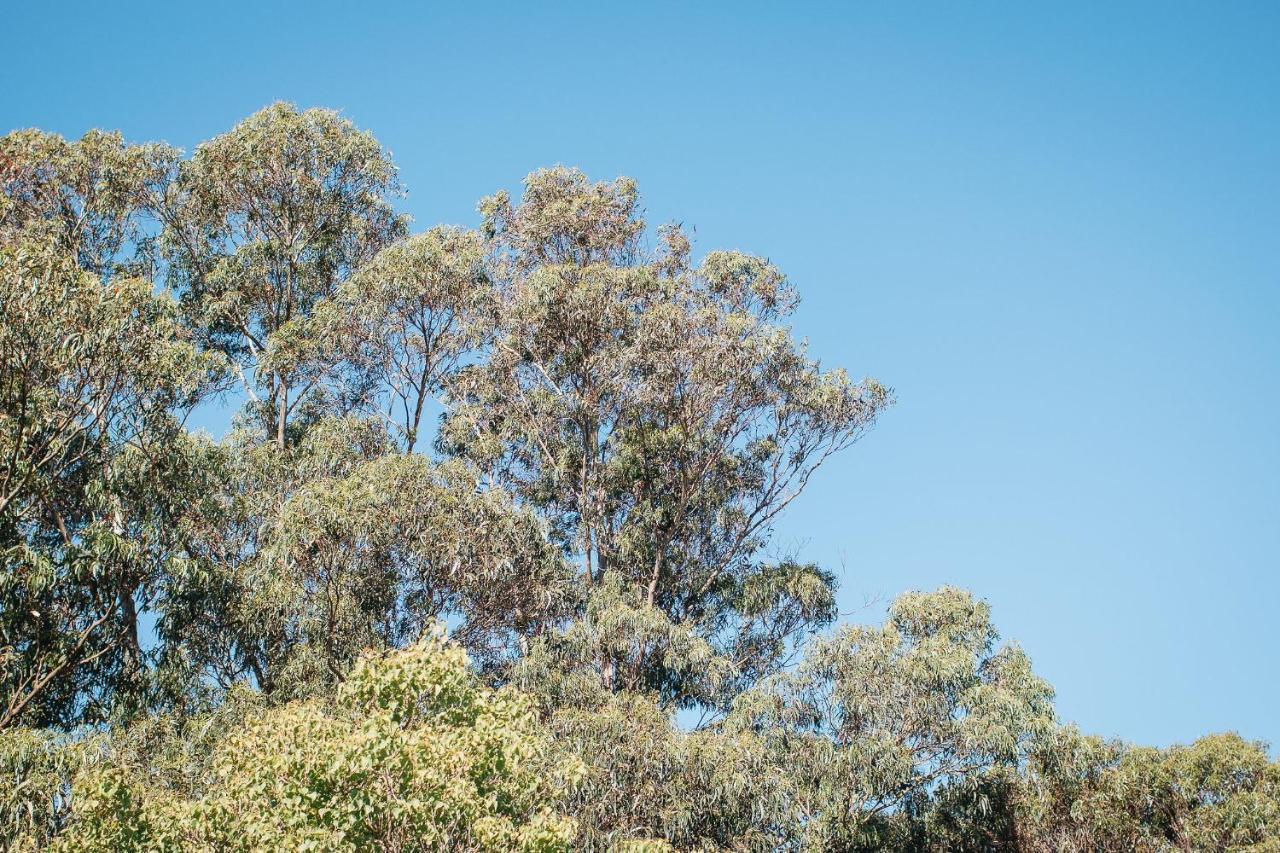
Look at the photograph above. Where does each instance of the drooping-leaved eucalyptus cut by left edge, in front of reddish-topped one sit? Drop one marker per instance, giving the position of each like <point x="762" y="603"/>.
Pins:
<point x="95" y="469"/>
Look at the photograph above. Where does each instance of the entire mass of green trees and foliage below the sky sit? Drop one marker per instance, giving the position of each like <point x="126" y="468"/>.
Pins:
<point x="484" y="562"/>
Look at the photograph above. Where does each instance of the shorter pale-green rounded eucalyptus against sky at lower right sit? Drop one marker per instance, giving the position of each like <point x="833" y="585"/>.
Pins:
<point x="876" y="720"/>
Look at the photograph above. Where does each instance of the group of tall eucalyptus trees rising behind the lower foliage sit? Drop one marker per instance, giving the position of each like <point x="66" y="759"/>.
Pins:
<point x="646" y="416"/>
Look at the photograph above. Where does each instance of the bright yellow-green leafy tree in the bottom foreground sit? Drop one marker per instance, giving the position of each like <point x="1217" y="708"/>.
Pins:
<point x="414" y="755"/>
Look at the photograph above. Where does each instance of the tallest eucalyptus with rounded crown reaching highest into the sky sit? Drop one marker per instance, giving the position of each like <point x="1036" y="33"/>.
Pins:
<point x="263" y="223"/>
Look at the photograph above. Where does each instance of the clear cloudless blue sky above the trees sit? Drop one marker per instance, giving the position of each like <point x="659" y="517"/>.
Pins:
<point x="1053" y="231"/>
